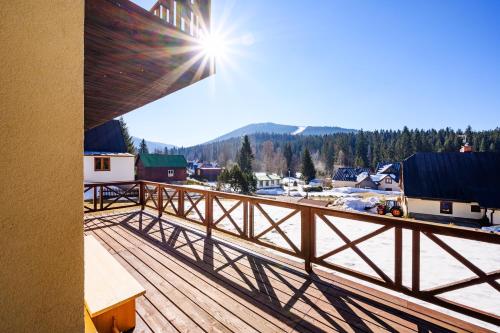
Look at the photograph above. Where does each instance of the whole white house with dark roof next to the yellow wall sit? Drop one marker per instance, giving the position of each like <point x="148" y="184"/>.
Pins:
<point x="105" y="157"/>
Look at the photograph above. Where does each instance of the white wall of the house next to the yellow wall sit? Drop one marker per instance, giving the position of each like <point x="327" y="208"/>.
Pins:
<point x="122" y="169"/>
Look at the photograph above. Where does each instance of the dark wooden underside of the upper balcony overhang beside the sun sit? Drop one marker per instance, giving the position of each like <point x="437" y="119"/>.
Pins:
<point x="133" y="57"/>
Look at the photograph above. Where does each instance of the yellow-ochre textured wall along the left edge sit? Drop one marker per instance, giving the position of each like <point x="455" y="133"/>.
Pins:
<point x="41" y="131"/>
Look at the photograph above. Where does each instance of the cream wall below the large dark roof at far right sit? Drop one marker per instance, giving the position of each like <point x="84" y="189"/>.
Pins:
<point x="432" y="207"/>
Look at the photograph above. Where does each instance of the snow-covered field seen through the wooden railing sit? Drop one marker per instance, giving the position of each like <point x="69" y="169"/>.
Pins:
<point x="437" y="266"/>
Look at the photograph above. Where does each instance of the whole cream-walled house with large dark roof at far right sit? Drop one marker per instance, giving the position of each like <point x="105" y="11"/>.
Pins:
<point x="452" y="187"/>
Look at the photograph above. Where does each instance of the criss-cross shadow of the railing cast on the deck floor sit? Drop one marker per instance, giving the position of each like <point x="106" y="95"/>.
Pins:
<point x="276" y="289"/>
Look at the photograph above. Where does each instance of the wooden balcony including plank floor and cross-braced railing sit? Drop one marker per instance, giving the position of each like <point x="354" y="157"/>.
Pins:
<point x="213" y="260"/>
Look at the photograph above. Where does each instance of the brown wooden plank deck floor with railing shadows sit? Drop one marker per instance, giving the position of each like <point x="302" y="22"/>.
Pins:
<point x="199" y="284"/>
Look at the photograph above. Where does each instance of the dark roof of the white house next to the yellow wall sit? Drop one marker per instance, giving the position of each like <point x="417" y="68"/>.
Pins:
<point x="106" y="138"/>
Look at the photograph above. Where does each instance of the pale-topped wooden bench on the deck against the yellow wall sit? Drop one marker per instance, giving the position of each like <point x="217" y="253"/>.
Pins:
<point x="110" y="291"/>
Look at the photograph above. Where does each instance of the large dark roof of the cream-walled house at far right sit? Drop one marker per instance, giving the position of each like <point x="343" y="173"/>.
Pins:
<point x="463" y="177"/>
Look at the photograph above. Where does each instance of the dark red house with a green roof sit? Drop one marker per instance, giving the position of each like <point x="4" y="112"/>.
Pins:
<point x="161" y="168"/>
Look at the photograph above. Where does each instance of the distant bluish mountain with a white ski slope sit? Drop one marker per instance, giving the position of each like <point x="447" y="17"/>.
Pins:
<point x="272" y="128"/>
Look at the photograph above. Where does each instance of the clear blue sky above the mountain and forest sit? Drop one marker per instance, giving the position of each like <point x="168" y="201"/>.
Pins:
<point x="355" y="64"/>
